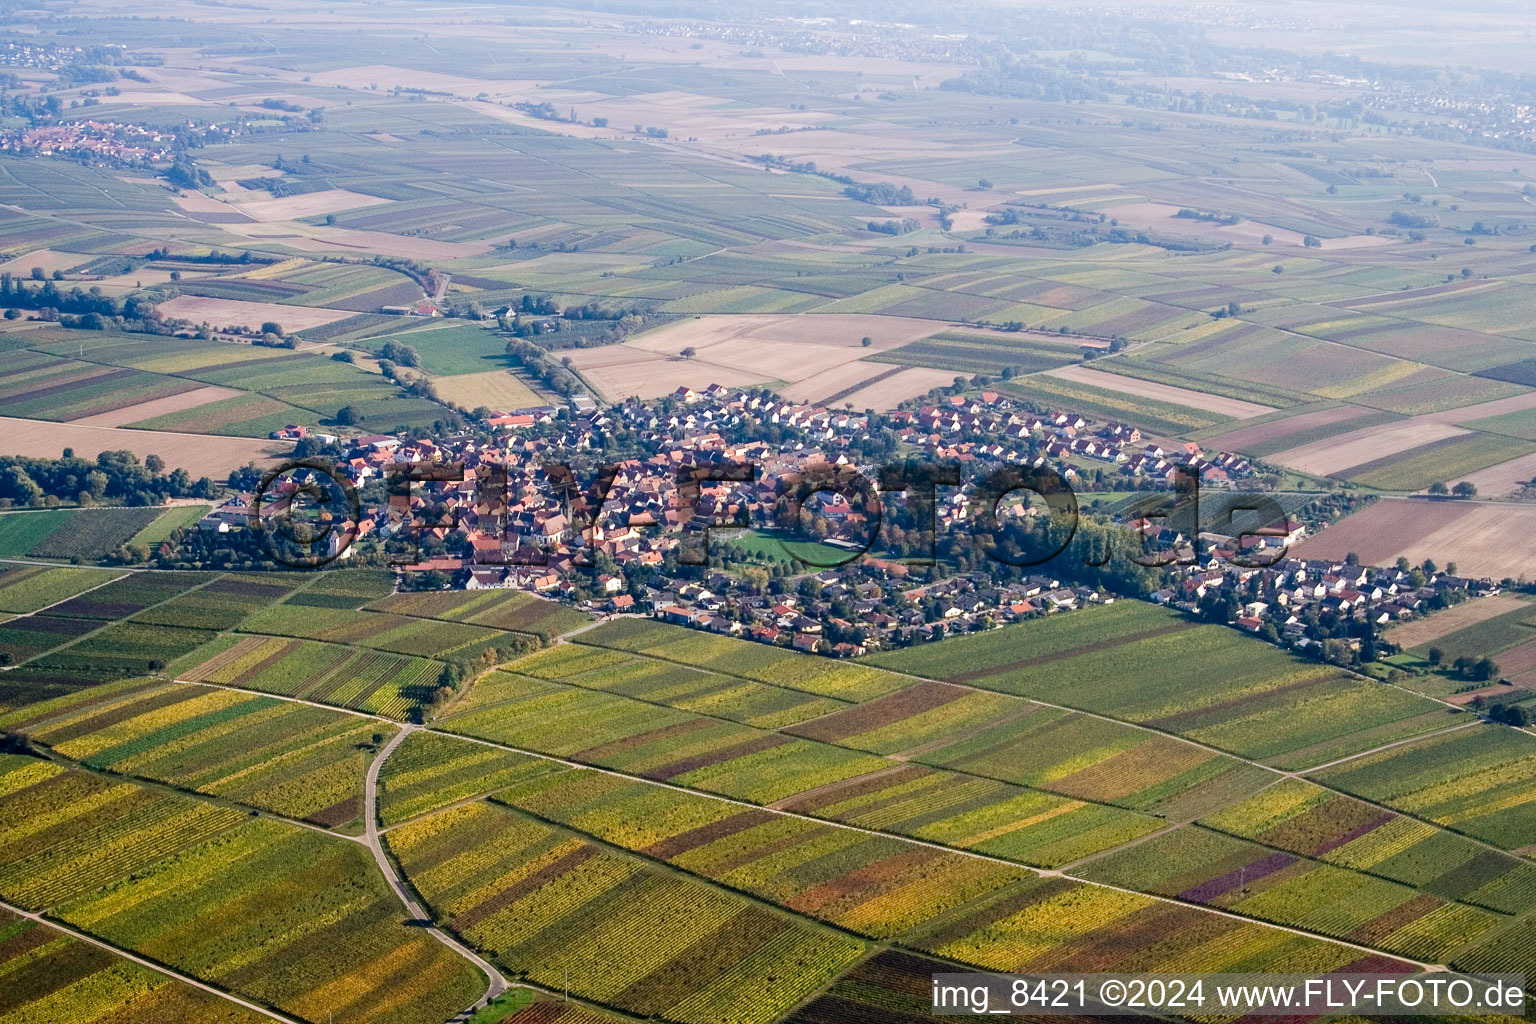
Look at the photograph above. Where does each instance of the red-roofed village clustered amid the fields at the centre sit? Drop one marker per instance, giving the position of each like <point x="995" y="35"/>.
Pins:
<point x="502" y="515"/>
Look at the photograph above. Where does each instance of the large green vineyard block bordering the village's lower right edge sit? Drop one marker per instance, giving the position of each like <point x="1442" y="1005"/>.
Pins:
<point x="1262" y="704"/>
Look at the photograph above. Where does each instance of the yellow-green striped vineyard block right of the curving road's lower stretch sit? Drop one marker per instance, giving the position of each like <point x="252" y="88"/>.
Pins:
<point x="560" y="911"/>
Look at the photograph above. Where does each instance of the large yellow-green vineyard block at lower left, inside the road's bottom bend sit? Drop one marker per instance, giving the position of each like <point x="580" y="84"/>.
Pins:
<point x="147" y="871"/>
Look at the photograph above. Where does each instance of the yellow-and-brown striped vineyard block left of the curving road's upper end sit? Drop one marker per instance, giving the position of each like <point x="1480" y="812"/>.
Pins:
<point x="279" y="756"/>
